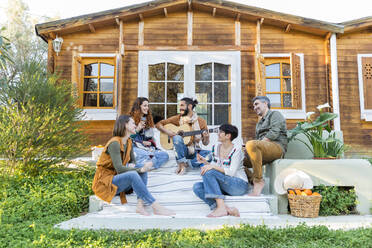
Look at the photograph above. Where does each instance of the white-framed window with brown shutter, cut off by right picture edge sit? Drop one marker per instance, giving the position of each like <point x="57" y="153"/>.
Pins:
<point x="365" y="86"/>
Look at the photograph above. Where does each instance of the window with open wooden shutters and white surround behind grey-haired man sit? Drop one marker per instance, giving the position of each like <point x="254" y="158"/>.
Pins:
<point x="281" y="78"/>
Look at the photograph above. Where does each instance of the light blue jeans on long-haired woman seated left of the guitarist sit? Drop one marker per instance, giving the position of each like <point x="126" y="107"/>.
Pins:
<point x="159" y="157"/>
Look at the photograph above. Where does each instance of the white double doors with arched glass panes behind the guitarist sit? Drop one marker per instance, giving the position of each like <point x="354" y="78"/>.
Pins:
<point x="213" y="78"/>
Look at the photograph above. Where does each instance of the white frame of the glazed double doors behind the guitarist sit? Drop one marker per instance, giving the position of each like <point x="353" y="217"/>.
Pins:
<point x="192" y="58"/>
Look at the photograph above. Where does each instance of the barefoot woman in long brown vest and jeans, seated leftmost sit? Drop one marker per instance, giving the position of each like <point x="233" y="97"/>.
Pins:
<point x="116" y="171"/>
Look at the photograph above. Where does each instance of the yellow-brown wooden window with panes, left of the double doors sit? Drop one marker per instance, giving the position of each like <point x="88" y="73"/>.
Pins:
<point x="97" y="83"/>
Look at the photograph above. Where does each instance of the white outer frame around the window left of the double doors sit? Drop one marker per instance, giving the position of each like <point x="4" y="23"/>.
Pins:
<point x="102" y="114"/>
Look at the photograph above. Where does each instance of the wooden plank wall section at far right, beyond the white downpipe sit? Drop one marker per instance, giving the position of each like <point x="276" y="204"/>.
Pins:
<point x="357" y="132"/>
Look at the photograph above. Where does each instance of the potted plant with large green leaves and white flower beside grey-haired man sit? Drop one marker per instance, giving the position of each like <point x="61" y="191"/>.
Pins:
<point x="324" y="143"/>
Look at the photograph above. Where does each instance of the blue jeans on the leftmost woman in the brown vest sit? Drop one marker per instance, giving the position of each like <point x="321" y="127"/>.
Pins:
<point x="136" y="181"/>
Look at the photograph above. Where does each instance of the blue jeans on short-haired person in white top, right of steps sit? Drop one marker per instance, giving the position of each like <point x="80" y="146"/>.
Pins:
<point x="216" y="185"/>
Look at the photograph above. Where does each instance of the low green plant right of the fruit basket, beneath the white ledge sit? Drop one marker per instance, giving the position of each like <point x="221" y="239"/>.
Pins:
<point x="336" y="200"/>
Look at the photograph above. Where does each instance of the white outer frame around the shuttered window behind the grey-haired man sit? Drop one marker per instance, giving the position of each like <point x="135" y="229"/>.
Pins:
<point x="293" y="113"/>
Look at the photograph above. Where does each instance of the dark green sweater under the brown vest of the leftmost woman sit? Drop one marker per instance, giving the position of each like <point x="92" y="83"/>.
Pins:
<point x="114" y="152"/>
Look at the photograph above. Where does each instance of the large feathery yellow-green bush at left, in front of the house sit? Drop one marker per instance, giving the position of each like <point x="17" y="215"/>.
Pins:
<point x="38" y="126"/>
